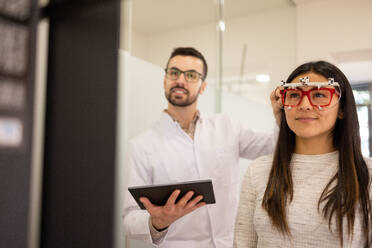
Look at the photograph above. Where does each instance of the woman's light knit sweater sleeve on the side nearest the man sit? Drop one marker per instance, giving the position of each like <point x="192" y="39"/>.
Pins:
<point x="245" y="233"/>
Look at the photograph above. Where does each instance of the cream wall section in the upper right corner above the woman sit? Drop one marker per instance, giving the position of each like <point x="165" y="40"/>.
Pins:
<point x="328" y="27"/>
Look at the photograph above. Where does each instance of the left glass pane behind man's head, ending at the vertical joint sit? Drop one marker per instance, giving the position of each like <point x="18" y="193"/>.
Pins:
<point x="150" y="31"/>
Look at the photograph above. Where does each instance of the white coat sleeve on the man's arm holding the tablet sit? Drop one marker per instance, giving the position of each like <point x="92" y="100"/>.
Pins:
<point x="137" y="172"/>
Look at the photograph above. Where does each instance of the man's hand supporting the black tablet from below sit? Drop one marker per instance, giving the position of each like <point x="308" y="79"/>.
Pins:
<point x="163" y="216"/>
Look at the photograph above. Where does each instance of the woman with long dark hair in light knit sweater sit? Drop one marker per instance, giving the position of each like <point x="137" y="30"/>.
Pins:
<point x="314" y="191"/>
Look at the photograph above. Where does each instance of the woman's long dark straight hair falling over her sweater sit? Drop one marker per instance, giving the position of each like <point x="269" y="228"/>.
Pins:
<point x="348" y="191"/>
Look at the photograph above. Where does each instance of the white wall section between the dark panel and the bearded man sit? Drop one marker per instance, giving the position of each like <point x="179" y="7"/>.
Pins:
<point x="140" y="102"/>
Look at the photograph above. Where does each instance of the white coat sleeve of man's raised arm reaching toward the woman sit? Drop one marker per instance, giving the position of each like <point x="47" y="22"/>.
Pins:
<point x="253" y="144"/>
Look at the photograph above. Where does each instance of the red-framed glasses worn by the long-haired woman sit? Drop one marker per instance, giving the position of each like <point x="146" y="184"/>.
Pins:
<point x="318" y="97"/>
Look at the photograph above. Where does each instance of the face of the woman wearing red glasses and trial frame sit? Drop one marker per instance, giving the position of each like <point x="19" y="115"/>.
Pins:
<point x="307" y="121"/>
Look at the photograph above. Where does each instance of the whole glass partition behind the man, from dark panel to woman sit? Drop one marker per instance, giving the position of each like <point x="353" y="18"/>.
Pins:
<point x="248" y="45"/>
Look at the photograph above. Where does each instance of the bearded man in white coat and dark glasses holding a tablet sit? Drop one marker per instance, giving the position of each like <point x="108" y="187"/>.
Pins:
<point x="186" y="145"/>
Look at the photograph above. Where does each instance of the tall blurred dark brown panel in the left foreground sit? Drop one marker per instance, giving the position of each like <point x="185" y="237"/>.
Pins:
<point x="79" y="169"/>
